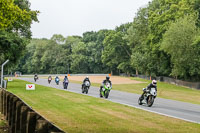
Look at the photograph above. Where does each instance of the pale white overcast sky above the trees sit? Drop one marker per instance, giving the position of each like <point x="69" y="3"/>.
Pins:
<point x="74" y="17"/>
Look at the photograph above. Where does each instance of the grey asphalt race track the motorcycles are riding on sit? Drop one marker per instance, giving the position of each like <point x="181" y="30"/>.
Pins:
<point x="171" y="108"/>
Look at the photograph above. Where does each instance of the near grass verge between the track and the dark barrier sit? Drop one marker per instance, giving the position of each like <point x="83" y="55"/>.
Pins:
<point x="76" y="113"/>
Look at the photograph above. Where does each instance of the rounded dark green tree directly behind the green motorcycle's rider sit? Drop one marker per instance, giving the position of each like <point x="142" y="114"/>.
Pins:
<point x="116" y="51"/>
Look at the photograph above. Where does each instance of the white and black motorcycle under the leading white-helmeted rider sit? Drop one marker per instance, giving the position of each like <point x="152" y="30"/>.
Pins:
<point x="148" y="97"/>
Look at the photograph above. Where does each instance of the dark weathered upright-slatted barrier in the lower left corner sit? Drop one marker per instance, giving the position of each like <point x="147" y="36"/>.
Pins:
<point x="22" y="118"/>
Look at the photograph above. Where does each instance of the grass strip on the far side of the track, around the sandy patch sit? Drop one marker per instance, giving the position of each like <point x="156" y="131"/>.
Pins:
<point x="165" y="90"/>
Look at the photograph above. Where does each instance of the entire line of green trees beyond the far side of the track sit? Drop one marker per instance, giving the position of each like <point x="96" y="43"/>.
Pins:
<point x="162" y="40"/>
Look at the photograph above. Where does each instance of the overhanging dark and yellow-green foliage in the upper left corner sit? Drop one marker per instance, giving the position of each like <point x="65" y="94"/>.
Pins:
<point x="15" y="22"/>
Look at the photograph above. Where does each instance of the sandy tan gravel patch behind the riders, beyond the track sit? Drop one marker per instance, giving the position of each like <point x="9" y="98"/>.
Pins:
<point x="99" y="79"/>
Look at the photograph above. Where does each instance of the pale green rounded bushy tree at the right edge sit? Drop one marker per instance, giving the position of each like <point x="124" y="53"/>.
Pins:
<point x="178" y="42"/>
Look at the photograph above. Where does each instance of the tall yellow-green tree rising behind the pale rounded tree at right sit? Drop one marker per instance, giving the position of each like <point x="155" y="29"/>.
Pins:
<point x="161" y="13"/>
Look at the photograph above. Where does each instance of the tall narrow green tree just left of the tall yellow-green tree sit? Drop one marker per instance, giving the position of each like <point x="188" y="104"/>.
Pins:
<point x="136" y="38"/>
